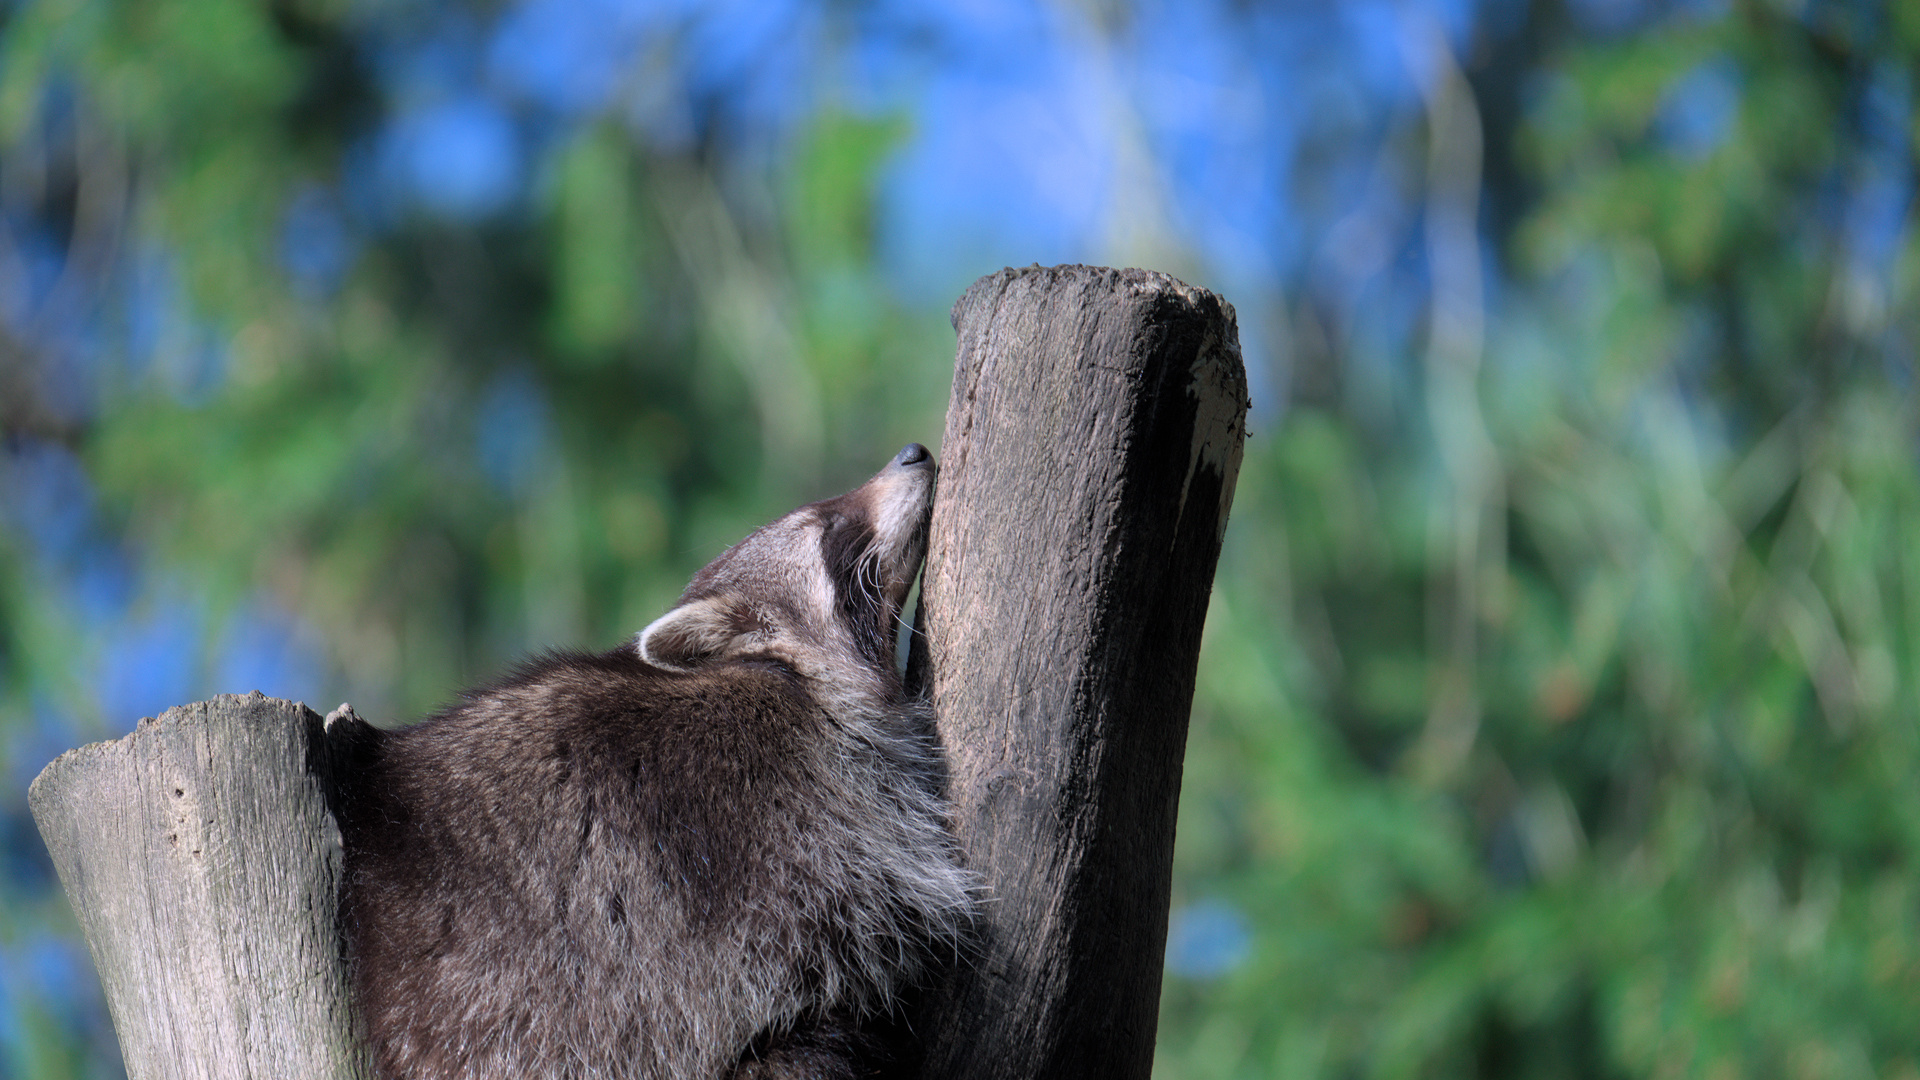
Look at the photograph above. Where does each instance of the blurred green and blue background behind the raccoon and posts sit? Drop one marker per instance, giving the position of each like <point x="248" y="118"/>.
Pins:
<point x="1558" y="708"/>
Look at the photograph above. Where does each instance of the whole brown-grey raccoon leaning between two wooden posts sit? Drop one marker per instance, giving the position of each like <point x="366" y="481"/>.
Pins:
<point x="711" y="852"/>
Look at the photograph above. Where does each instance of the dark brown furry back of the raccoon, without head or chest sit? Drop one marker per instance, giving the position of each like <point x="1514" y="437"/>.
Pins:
<point x="592" y="868"/>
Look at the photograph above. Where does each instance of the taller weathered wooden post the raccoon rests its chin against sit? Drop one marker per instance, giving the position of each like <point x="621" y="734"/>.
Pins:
<point x="1092" y="451"/>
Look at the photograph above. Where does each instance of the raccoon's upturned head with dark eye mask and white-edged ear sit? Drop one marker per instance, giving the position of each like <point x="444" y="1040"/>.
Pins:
<point x="817" y="593"/>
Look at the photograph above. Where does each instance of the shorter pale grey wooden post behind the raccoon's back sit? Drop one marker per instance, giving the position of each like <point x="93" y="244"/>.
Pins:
<point x="203" y="862"/>
